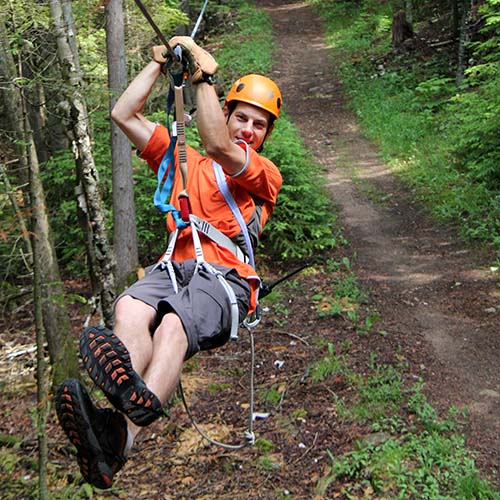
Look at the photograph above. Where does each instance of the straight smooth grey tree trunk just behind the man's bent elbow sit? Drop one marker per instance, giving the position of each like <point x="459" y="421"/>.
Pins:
<point x="124" y="220"/>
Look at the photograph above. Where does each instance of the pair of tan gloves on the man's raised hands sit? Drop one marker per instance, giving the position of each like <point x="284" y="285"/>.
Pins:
<point x="201" y="63"/>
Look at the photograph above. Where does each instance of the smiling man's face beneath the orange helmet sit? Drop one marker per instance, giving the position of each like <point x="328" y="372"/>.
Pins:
<point x="248" y="123"/>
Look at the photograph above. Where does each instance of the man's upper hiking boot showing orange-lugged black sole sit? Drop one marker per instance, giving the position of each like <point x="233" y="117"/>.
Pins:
<point x="108" y="363"/>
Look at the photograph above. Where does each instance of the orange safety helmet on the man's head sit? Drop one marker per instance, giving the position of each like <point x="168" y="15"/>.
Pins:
<point x="257" y="90"/>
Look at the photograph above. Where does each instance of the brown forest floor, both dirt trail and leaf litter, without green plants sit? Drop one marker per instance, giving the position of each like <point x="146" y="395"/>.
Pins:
<point x="439" y="308"/>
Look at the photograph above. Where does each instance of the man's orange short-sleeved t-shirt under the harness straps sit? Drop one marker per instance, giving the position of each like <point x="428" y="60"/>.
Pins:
<point x="255" y="191"/>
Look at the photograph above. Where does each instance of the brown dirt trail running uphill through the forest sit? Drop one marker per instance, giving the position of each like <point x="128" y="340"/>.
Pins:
<point x="430" y="290"/>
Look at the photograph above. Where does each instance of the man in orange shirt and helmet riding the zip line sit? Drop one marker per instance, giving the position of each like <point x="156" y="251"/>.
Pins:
<point x="181" y="306"/>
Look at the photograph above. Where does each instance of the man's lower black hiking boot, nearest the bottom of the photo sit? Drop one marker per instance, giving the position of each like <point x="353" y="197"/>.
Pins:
<point x="99" y="435"/>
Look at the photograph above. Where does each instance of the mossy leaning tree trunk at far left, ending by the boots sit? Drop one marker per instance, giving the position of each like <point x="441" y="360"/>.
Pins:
<point x="62" y="349"/>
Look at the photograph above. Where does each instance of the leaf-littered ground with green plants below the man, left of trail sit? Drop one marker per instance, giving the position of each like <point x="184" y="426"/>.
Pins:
<point x="341" y="413"/>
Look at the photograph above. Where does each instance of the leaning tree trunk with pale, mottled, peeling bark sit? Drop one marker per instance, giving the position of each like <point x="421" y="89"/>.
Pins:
<point x="99" y="252"/>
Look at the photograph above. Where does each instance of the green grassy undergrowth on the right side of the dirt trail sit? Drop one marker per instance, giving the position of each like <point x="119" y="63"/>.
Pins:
<point x="441" y="140"/>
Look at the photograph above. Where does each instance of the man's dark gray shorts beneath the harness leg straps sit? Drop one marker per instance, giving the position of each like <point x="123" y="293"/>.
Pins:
<point x="201" y="303"/>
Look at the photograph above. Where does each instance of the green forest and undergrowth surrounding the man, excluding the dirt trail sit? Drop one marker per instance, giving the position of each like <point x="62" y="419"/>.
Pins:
<point x="78" y="225"/>
